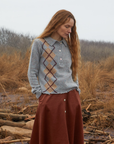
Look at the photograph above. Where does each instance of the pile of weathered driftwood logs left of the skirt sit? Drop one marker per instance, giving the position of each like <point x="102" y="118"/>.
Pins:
<point x="16" y="127"/>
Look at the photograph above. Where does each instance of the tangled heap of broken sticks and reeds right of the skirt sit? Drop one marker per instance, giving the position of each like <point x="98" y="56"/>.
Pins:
<point x="93" y="123"/>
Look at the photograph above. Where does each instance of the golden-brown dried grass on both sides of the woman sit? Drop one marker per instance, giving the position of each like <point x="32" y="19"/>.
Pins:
<point x="96" y="80"/>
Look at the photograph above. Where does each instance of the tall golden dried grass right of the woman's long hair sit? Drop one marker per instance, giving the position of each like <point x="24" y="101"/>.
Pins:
<point x="94" y="77"/>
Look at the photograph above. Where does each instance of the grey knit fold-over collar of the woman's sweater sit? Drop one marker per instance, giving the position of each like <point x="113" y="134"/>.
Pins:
<point x="52" y="41"/>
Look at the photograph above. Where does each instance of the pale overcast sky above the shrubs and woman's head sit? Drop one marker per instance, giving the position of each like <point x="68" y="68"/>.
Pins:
<point x="95" y="18"/>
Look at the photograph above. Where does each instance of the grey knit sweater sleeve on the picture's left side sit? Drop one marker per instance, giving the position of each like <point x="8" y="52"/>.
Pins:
<point x="33" y="68"/>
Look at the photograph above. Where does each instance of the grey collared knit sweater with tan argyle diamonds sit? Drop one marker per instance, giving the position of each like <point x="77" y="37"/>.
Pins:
<point x="49" y="70"/>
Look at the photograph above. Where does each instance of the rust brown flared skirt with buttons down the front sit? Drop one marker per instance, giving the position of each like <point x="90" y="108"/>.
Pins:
<point x="58" y="119"/>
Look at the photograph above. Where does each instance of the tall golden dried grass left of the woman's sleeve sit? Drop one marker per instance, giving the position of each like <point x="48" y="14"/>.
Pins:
<point x="13" y="71"/>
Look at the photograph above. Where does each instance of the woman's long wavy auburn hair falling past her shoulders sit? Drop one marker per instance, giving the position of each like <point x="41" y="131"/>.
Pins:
<point x="59" y="18"/>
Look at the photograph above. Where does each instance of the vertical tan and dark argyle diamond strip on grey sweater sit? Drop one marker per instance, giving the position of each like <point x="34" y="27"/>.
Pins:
<point x="49" y="70"/>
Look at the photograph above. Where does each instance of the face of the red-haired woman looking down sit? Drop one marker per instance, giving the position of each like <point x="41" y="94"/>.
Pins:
<point x="65" y="29"/>
